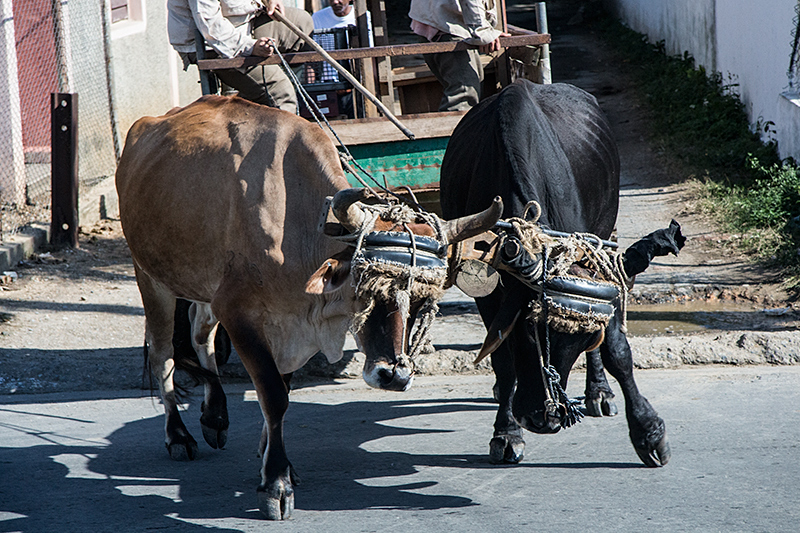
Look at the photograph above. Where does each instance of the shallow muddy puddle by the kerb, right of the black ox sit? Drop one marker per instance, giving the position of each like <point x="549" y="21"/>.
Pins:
<point x="692" y="317"/>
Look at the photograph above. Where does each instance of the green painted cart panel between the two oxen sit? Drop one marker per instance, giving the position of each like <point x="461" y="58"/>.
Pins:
<point x="414" y="163"/>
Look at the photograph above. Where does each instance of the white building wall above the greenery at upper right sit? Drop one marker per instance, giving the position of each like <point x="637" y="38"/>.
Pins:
<point x="748" y="42"/>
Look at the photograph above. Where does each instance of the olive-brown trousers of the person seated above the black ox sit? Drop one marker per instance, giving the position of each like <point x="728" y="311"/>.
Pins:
<point x="460" y="74"/>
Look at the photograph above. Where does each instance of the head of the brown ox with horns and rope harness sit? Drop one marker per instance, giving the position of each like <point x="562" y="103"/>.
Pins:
<point x="399" y="271"/>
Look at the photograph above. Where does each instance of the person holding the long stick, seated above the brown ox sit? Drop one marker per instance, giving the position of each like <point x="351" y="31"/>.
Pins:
<point x="241" y="28"/>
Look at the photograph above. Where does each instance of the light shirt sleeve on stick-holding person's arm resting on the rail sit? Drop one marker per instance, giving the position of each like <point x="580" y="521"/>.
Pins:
<point x="219" y="33"/>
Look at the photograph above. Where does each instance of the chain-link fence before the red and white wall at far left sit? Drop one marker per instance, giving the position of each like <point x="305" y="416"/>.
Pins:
<point x="51" y="46"/>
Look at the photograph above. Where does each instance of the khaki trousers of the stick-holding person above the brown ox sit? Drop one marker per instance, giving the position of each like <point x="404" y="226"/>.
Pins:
<point x="269" y="84"/>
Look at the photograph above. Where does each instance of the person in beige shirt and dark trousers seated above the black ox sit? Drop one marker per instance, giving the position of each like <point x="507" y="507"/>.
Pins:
<point x="460" y="73"/>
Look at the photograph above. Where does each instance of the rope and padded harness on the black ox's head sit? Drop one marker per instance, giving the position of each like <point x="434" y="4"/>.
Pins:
<point x="576" y="280"/>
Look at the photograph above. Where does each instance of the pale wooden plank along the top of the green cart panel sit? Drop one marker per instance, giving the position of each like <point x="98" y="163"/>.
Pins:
<point x="375" y="130"/>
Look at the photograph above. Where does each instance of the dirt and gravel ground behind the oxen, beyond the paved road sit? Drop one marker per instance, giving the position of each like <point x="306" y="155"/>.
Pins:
<point x="72" y="319"/>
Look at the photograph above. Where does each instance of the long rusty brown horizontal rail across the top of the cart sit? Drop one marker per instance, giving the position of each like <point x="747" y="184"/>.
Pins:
<point x="524" y="39"/>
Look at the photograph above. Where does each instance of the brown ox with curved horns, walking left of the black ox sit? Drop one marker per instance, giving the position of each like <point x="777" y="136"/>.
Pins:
<point x="219" y="203"/>
